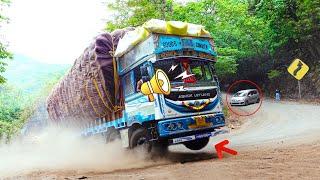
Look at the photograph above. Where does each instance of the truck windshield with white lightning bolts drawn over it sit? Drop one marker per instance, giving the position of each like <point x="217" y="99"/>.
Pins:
<point x="186" y="70"/>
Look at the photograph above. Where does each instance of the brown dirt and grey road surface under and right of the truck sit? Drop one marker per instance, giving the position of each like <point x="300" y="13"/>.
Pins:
<point x="281" y="141"/>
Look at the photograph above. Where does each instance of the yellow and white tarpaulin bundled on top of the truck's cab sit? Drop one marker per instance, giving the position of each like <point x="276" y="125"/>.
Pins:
<point x="179" y="28"/>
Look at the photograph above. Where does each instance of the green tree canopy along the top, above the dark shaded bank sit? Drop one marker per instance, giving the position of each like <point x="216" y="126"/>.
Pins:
<point x="241" y="29"/>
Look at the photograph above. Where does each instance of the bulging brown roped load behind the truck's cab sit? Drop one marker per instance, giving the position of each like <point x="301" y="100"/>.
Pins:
<point x="89" y="90"/>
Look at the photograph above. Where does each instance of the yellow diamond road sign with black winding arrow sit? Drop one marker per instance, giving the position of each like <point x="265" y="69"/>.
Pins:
<point x="298" y="69"/>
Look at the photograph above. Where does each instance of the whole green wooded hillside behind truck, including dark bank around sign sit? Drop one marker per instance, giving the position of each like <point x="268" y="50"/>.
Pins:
<point x="255" y="39"/>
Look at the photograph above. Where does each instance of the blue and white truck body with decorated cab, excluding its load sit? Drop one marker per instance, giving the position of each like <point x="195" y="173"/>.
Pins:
<point x="189" y="112"/>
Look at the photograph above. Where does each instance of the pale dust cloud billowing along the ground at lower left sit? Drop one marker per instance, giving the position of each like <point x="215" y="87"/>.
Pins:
<point x="57" y="149"/>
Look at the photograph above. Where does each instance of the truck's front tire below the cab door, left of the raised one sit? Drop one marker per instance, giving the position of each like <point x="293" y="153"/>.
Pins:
<point x="139" y="139"/>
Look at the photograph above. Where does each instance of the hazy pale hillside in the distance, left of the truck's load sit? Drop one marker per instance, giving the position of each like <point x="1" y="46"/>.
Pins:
<point x="28" y="83"/>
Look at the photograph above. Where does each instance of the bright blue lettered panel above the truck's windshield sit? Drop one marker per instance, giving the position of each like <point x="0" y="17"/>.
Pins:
<point x="174" y="43"/>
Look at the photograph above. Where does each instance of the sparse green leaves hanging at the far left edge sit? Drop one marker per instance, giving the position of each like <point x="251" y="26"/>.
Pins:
<point x="4" y="54"/>
